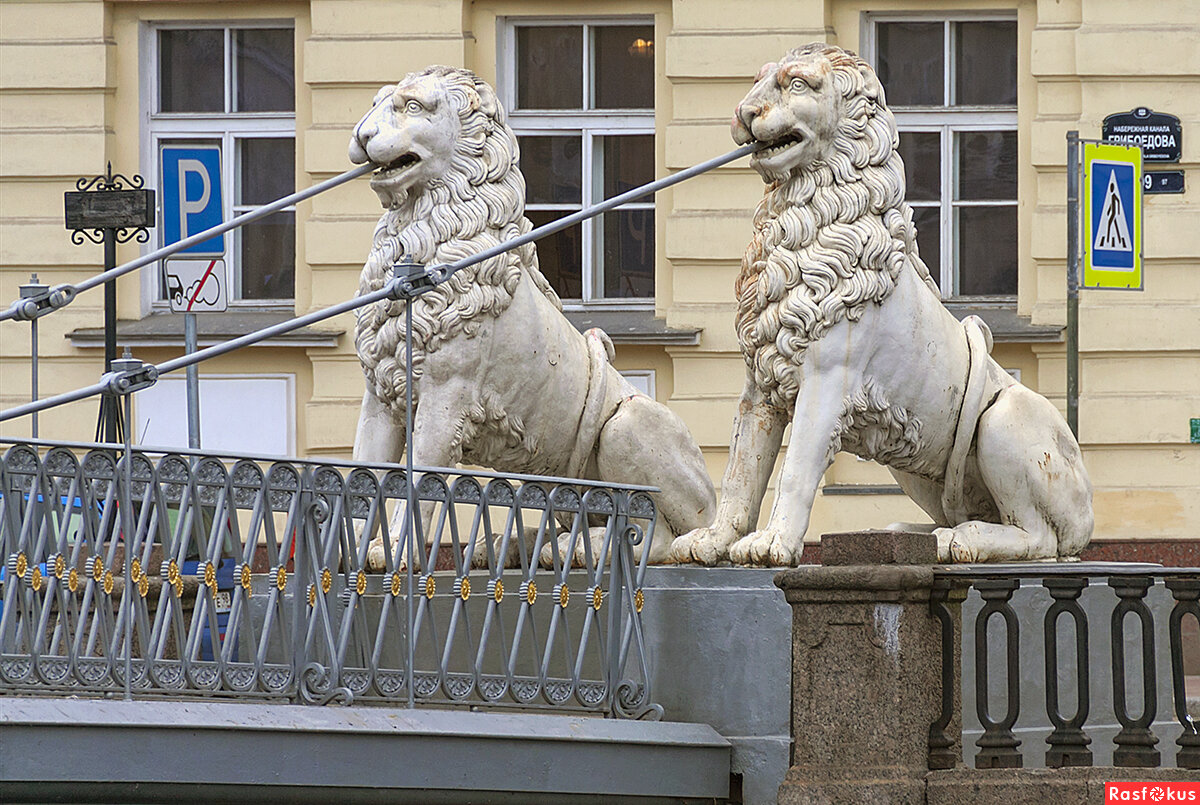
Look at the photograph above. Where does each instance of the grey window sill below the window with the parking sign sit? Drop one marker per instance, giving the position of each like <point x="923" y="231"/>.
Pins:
<point x="167" y="331"/>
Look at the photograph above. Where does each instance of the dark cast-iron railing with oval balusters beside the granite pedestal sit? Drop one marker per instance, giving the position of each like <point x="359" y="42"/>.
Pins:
<point x="1063" y="636"/>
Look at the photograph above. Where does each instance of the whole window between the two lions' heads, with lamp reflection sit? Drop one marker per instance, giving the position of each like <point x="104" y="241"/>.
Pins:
<point x="581" y="101"/>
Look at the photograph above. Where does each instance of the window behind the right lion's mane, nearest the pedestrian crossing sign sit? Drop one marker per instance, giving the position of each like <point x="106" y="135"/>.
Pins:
<point x="952" y="86"/>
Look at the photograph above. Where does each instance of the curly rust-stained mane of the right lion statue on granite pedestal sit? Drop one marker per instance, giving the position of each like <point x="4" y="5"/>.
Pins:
<point x="829" y="239"/>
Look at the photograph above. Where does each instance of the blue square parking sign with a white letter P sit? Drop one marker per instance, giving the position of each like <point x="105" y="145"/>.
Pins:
<point x="191" y="196"/>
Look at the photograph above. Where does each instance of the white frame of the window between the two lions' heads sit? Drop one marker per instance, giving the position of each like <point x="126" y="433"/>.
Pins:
<point x="589" y="124"/>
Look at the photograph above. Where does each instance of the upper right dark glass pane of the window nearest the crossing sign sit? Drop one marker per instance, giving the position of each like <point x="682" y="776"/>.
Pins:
<point x="986" y="65"/>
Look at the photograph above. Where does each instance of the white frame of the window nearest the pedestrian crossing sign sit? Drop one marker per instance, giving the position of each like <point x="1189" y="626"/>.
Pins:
<point x="950" y="121"/>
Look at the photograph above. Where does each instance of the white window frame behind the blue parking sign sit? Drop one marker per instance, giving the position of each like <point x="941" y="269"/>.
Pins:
<point x="227" y="128"/>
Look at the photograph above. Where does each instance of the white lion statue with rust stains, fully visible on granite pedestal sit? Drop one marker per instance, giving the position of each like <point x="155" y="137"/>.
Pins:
<point x="844" y="337"/>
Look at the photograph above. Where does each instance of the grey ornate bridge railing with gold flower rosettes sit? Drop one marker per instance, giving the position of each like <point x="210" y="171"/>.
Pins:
<point x="251" y="580"/>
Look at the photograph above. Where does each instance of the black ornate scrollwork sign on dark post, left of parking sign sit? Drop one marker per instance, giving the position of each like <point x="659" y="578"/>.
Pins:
<point x="104" y="211"/>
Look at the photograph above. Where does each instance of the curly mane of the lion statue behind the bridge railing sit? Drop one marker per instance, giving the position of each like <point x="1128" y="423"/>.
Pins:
<point x="477" y="205"/>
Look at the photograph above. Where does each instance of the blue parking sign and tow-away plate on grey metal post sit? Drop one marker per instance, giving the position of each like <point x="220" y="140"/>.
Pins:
<point x="193" y="203"/>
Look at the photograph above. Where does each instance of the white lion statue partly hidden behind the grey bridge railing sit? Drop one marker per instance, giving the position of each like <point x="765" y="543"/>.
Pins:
<point x="502" y="380"/>
